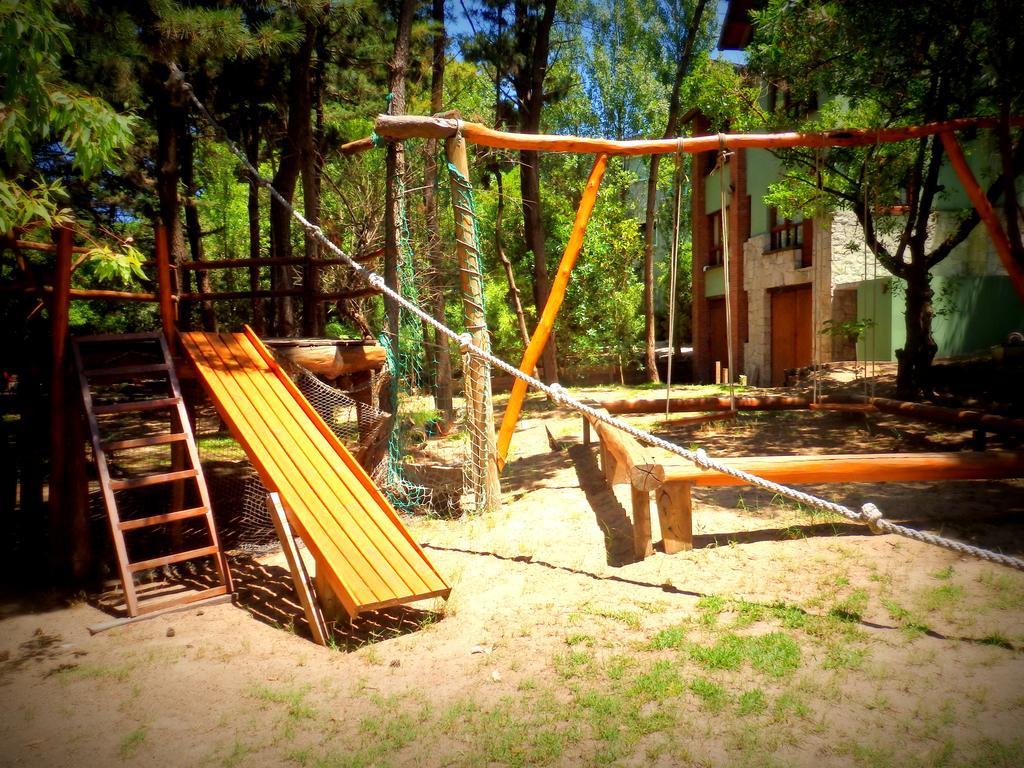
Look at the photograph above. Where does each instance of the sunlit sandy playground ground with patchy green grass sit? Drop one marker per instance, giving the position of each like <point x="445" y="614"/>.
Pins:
<point x="556" y="649"/>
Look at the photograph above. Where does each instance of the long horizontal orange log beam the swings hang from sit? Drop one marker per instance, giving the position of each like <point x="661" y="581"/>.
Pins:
<point x="400" y="127"/>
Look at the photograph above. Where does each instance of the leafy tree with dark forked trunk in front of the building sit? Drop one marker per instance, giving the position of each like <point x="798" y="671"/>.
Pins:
<point x="879" y="64"/>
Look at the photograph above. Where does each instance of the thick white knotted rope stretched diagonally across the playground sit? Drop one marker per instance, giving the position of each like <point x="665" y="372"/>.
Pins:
<point x="869" y="514"/>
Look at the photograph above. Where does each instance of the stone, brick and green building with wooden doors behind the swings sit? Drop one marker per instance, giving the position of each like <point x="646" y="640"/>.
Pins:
<point x="792" y="281"/>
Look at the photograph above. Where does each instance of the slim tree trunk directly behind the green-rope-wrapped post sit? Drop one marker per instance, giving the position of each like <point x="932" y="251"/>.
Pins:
<point x="443" y="354"/>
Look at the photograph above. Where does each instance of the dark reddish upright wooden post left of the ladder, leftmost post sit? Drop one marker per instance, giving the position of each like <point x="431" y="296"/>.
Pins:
<point x="60" y="309"/>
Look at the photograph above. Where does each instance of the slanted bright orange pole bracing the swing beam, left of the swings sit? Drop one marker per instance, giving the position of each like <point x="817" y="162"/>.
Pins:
<point x="556" y="297"/>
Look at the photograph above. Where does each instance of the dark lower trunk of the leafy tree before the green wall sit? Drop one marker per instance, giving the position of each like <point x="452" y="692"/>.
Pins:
<point x="914" y="380"/>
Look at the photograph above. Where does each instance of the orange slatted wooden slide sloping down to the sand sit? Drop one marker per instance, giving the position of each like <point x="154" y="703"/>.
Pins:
<point x="370" y="560"/>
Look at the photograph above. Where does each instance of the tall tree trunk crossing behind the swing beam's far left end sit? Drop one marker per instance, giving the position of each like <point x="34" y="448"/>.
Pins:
<point x="396" y="166"/>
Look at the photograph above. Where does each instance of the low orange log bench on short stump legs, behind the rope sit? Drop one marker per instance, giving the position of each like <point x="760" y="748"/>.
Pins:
<point x="623" y="461"/>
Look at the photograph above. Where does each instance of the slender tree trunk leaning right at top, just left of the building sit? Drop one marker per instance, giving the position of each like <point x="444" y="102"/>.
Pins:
<point x="651" y="211"/>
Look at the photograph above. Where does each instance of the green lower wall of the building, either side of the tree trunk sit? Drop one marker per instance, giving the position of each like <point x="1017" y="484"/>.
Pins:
<point x="976" y="313"/>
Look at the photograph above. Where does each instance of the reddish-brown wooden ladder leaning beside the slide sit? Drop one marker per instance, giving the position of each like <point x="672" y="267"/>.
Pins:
<point x="184" y="449"/>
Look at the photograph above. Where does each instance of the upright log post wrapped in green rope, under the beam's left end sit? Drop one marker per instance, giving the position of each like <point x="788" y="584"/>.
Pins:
<point x="478" y="376"/>
